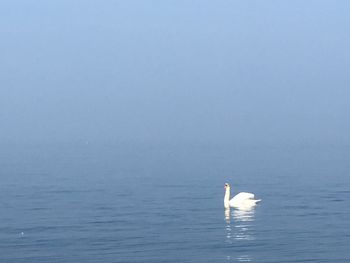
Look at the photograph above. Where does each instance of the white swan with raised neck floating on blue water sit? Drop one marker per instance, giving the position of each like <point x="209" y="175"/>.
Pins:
<point x="241" y="201"/>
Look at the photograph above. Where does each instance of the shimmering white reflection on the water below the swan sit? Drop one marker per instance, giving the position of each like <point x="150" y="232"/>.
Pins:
<point x="239" y="230"/>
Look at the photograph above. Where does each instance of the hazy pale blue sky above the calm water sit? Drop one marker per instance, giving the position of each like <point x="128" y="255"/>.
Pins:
<point x="175" y="70"/>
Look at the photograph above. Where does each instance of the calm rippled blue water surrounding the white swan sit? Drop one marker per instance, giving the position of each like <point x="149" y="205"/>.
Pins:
<point x="157" y="203"/>
